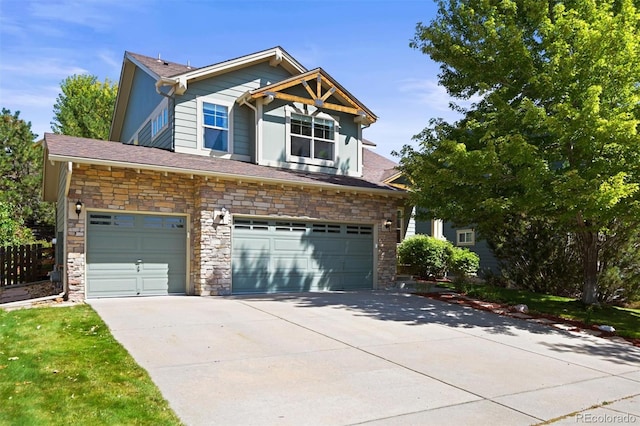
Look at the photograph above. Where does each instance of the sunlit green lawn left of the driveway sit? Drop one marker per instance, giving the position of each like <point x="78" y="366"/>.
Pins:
<point x="61" y="366"/>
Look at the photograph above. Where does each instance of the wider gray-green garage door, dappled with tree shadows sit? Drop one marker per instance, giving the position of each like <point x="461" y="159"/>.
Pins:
<point x="285" y="256"/>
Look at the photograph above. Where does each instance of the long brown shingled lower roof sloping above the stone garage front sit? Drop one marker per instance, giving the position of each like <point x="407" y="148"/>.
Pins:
<point x="92" y="150"/>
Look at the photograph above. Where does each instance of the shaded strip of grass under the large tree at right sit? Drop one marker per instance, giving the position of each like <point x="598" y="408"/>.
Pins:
<point x="625" y="321"/>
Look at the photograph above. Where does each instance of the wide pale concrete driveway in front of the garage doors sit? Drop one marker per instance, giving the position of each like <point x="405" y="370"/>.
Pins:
<point x="369" y="358"/>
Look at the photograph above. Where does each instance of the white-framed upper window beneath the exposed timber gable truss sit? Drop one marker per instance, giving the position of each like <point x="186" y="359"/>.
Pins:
<point x="313" y="137"/>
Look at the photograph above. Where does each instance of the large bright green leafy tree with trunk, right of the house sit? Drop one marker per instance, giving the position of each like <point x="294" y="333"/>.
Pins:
<point x="553" y="129"/>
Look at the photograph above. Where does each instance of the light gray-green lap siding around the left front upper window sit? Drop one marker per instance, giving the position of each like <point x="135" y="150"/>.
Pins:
<point x="227" y="88"/>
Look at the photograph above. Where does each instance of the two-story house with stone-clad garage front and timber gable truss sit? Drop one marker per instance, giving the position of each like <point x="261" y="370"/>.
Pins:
<point x="247" y="176"/>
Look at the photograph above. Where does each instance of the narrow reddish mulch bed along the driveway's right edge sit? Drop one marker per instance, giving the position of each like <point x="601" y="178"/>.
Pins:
<point x="507" y="310"/>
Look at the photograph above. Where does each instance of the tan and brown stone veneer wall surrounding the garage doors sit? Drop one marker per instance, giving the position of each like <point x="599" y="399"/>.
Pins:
<point x="105" y="188"/>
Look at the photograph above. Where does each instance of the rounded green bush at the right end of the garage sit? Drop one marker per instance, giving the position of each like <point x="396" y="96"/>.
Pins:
<point x="431" y="257"/>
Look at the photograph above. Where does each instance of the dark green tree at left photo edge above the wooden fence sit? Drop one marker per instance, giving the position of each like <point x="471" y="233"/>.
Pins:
<point x="20" y="177"/>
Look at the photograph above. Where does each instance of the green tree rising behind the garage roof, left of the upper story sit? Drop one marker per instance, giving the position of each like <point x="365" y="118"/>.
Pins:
<point x="84" y="108"/>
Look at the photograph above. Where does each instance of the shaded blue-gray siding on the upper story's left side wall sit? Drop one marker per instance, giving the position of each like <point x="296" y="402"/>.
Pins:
<point x="142" y="101"/>
